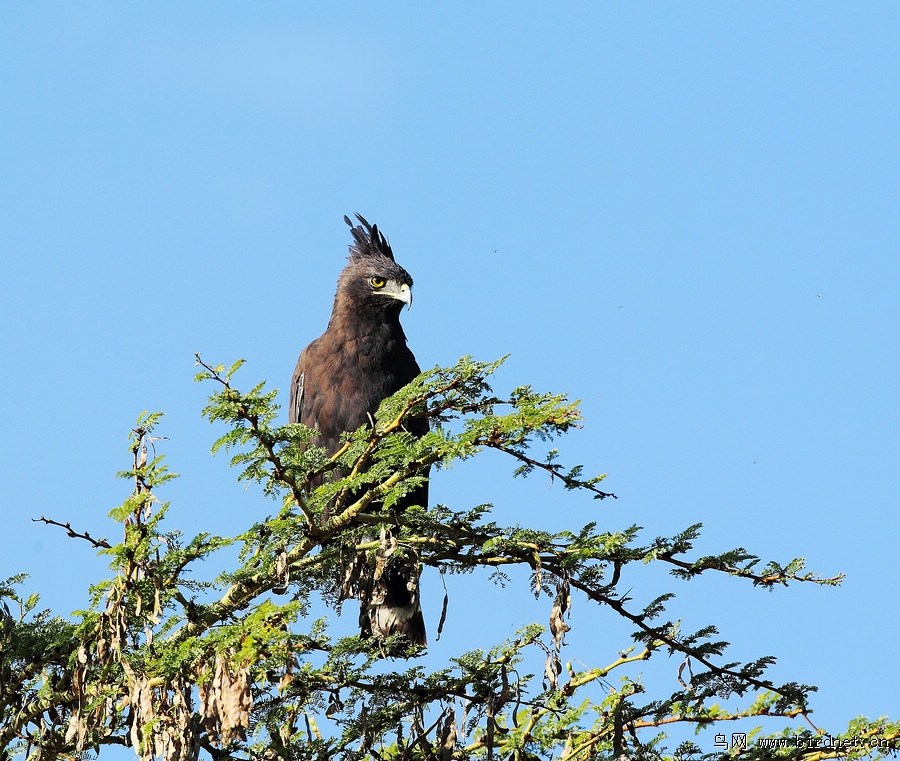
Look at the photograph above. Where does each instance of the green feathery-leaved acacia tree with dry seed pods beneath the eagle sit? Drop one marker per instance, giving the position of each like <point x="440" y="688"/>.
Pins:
<point x="179" y="665"/>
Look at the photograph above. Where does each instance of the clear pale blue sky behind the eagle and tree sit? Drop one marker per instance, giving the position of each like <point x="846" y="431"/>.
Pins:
<point x="683" y="214"/>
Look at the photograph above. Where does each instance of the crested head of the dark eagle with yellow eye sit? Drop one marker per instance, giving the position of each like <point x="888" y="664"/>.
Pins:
<point x="372" y="277"/>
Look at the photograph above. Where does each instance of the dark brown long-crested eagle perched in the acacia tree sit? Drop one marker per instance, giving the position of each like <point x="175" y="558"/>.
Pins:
<point x="340" y="380"/>
